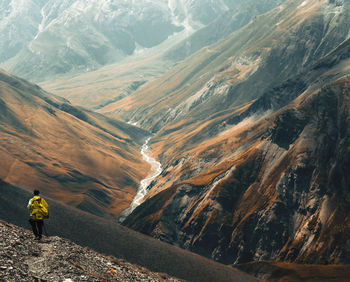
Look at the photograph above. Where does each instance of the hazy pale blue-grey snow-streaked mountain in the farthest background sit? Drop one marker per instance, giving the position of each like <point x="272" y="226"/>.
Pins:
<point x="44" y="38"/>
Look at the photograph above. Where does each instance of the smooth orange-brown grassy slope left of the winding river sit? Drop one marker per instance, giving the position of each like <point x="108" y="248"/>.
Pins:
<point x="76" y="156"/>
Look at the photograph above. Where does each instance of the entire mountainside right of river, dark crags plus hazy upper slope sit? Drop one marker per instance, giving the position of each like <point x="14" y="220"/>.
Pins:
<point x="253" y="135"/>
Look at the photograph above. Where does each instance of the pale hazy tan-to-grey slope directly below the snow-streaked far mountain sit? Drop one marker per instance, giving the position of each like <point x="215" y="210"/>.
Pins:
<point x="114" y="82"/>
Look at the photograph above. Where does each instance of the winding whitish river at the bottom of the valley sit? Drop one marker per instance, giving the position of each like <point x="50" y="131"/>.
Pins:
<point x="156" y="170"/>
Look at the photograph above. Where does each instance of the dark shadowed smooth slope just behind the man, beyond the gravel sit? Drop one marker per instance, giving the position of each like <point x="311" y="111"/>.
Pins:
<point x="110" y="238"/>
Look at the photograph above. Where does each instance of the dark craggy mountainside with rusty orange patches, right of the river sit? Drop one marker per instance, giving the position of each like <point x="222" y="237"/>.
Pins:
<point x="267" y="180"/>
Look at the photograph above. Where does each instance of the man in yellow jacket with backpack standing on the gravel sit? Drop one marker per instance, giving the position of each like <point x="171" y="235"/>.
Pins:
<point x="39" y="211"/>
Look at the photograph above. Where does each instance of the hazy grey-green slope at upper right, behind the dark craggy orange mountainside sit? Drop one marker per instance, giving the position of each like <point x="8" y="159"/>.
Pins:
<point x="270" y="49"/>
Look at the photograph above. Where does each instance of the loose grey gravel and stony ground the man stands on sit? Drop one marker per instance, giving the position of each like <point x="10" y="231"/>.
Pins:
<point x="55" y="259"/>
